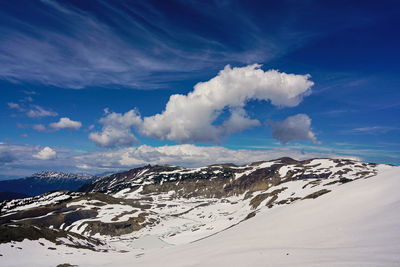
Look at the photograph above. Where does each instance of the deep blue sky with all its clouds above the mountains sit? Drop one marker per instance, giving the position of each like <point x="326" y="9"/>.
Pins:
<point x="99" y="86"/>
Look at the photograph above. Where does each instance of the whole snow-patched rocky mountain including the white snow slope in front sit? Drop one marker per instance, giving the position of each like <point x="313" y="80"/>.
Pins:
<point x="286" y="212"/>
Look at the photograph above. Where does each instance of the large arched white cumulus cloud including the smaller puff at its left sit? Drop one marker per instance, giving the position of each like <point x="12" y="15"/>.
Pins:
<point x="193" y="117"/>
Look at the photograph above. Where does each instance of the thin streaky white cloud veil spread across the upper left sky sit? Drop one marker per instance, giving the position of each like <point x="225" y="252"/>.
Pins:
<point x="137" y="45"/>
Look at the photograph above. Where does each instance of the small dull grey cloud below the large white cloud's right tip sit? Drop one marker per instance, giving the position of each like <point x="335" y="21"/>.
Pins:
<point x="297" y="127"/>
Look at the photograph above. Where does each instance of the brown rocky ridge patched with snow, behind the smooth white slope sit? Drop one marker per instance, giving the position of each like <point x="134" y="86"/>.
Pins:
<point x="173" y="206"/>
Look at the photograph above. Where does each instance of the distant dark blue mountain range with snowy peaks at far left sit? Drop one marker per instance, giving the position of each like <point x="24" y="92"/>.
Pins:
<point x="42" y="182"/>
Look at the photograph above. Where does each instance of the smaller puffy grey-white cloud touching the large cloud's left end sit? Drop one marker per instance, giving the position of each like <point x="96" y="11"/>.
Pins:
<point x="116" y="129"/>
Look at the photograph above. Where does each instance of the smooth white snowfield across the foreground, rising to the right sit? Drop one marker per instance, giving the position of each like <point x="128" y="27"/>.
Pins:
<point x="356" y="224"/>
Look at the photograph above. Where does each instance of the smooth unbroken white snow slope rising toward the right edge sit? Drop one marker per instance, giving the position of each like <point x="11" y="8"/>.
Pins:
<point x="358" y="224"/>
